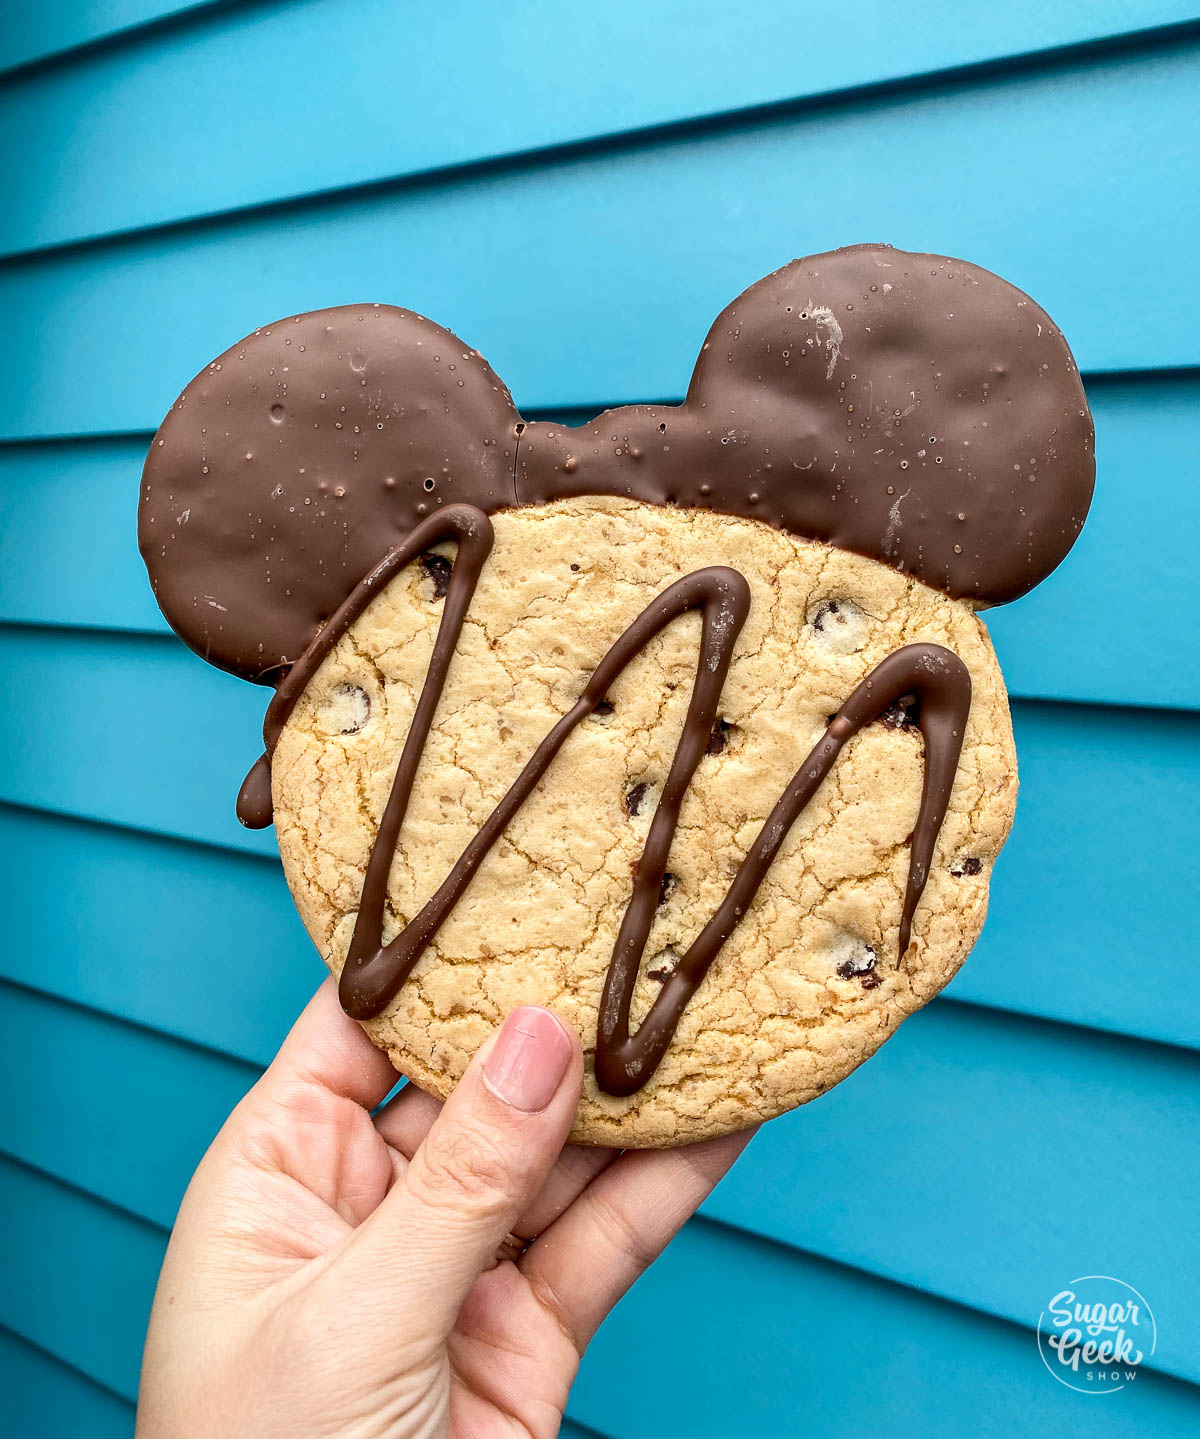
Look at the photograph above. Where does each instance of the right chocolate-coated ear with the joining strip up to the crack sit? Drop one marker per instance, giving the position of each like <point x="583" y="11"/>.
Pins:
<point x="910" y="408"/>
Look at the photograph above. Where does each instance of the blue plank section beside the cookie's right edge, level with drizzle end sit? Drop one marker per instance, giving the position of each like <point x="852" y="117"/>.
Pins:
<point x="1097" y="879"/>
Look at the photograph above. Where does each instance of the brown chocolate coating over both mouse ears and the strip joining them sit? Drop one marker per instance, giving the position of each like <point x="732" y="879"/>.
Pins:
<point x="910" y="408"/>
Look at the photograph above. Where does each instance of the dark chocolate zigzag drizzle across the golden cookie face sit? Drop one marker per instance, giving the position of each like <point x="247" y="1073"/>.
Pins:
<point x="375" y="972"/>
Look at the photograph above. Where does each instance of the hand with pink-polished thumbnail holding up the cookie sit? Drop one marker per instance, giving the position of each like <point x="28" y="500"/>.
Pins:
<point x="418" y="1271"/>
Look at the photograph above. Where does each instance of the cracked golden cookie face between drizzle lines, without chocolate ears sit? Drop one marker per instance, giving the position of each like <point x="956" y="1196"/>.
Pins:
<point x="809" y="985"/>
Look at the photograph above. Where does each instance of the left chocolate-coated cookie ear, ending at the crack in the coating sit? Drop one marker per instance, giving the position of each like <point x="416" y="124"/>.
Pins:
<point x="297" y="460"/>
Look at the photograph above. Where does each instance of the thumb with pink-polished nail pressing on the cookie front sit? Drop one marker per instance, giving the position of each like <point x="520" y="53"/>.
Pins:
<point x="486" y="1158"/>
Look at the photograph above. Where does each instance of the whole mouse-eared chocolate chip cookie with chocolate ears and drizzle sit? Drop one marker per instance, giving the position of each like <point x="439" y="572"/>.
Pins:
<point x="683" y="723"/>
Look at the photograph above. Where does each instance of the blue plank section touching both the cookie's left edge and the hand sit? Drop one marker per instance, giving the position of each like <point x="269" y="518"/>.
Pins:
<point x="199" y="926"/>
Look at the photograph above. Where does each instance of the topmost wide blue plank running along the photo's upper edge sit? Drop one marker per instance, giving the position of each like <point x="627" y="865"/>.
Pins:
<point x="214" y="117"/>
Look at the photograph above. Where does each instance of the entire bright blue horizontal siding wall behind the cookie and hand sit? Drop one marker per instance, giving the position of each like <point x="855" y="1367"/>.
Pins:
<point x="533" y="175"/>
